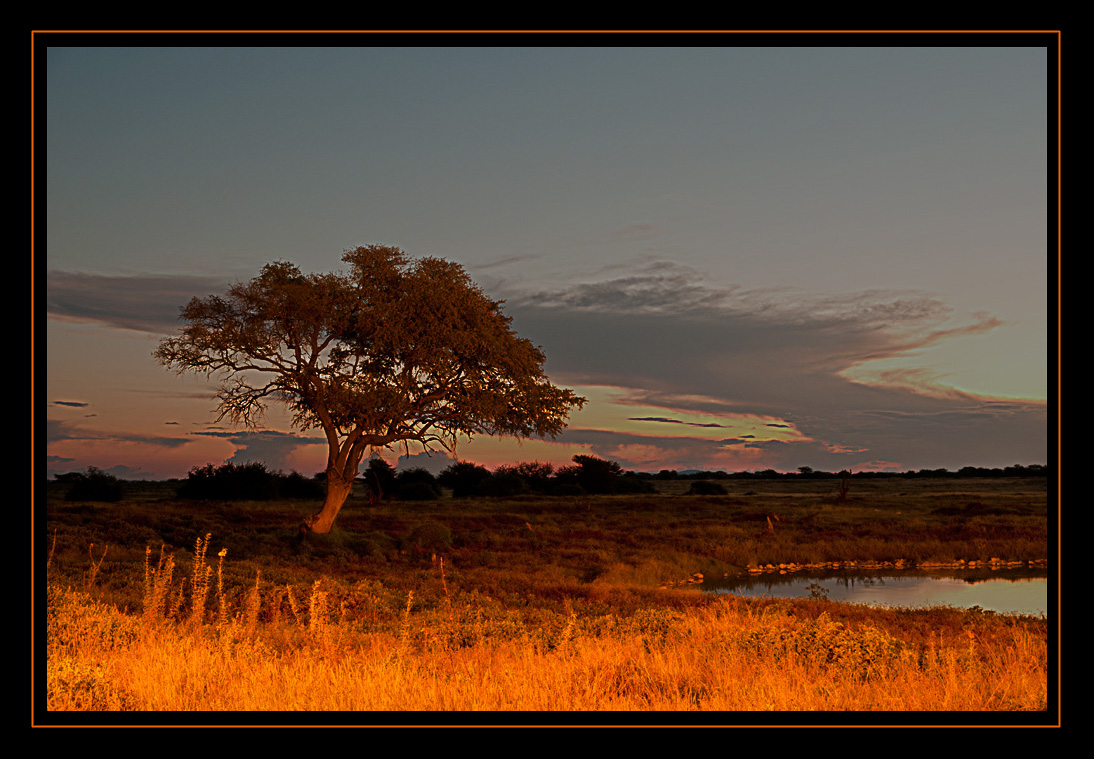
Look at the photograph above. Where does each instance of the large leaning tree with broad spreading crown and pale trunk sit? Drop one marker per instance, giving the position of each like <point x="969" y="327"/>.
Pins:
<point x="394" y="351"/>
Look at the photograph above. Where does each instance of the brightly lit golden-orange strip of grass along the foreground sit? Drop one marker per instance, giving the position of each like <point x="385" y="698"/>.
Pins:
<point x="724" y="657"/>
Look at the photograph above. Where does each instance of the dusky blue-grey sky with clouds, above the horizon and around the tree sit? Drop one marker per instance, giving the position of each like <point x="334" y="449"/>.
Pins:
<point x="746" y="256"/>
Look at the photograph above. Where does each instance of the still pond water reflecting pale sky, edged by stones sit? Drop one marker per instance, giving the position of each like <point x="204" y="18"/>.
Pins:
<point x="1007" y="592"/>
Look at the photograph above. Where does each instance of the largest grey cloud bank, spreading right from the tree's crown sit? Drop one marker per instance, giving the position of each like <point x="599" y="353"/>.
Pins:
<point x="676" y="342"/>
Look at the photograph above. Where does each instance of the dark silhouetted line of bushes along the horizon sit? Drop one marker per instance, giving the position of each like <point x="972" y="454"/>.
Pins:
<point x="588" y="475"/>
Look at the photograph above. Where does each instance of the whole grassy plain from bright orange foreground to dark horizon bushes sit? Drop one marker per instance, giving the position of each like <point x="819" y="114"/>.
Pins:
<point x="536" y="606"/>
